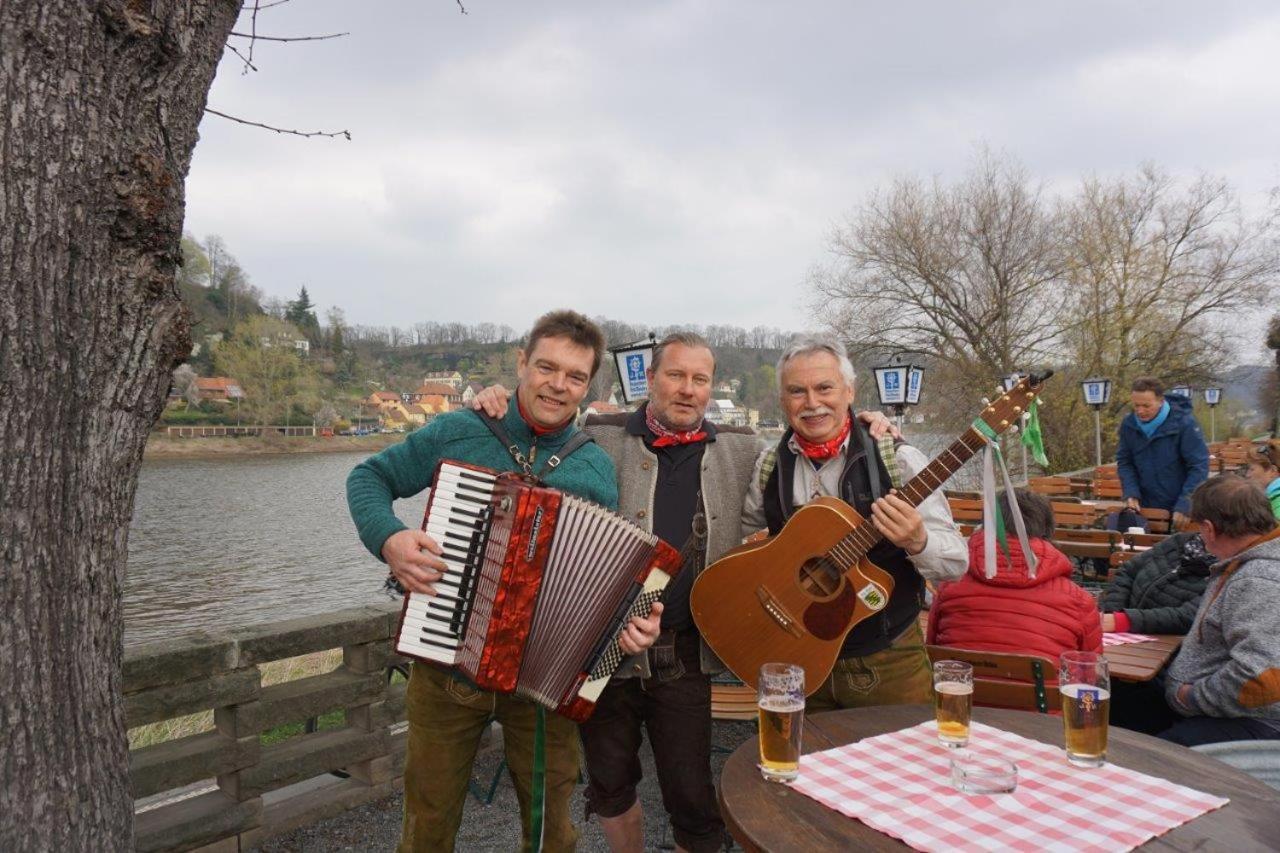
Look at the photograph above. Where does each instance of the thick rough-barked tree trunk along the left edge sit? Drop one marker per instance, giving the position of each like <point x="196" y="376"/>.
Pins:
<point x="99" y="108"/>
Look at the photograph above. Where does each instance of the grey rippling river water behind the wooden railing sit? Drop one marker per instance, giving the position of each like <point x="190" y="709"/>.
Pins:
<point x="232" y="541"/>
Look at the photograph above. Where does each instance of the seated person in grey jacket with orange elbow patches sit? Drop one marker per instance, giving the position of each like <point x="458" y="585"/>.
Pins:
<point x="1224" y="685"/>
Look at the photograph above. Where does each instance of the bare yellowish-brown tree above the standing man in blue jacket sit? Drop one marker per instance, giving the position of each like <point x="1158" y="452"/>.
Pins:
<point x="1154" y="270"/>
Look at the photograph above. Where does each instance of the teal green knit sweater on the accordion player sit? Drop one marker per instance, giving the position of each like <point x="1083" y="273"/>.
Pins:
<point x="406" y="469"/>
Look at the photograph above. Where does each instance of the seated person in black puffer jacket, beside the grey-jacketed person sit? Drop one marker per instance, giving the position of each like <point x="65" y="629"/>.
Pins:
<point x="1159" y="591"/>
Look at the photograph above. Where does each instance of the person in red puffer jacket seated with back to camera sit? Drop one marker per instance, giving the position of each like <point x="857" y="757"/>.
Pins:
<point x="1018" y="612"/>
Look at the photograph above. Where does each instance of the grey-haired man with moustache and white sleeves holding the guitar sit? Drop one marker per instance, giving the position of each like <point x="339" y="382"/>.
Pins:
<point x="829" y="453"/>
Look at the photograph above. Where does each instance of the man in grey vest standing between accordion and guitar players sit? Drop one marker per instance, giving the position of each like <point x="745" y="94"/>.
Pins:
<point x="684" y="478"/>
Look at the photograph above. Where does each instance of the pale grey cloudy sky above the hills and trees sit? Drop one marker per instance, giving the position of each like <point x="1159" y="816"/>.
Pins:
<point x="684" y="161"/>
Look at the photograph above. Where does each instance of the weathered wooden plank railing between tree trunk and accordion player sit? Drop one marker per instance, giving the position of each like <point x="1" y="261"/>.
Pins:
<point x="226" y="788"/>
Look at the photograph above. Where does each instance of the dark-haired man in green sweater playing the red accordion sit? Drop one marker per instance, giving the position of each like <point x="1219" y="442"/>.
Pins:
<point x="447" y="714"/>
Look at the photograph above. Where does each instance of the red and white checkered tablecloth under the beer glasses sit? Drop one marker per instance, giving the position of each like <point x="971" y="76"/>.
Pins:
<point x="900" y="784"/>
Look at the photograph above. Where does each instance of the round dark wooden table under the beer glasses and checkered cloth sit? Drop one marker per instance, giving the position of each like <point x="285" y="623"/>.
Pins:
<point x="769" y="816"/>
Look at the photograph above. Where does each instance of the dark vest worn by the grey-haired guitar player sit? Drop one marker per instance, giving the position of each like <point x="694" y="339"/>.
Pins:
<point x="863" y="481"/>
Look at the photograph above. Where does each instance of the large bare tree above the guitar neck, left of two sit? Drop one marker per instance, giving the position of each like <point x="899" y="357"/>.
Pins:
<point x="963" y="272"/>
